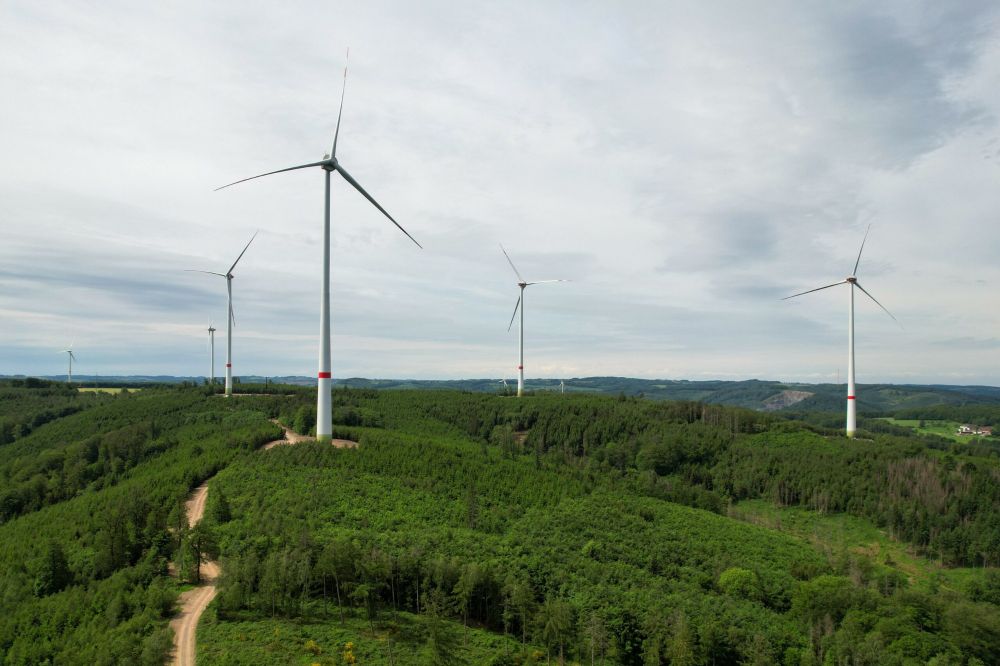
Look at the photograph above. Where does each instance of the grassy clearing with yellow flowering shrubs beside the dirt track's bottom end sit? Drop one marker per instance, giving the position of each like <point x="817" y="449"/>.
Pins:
<point x="253" y="639"/>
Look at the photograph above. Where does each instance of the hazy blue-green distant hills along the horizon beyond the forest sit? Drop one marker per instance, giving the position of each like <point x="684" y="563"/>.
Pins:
<point x="763" y="395"/>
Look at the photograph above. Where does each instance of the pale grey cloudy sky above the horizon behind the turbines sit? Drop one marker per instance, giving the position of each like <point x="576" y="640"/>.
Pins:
<point x="684" y="164"/>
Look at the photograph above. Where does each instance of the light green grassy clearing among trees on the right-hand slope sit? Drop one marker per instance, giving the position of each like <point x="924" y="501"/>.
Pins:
<point x="837" y="534"/>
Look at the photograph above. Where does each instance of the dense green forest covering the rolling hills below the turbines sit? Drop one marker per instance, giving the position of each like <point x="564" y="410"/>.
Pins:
<point x="473" y="527"/>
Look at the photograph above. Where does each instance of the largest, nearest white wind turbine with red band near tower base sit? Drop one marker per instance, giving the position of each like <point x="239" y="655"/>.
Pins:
<point x="329" y="164"/>
